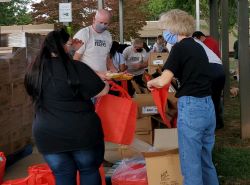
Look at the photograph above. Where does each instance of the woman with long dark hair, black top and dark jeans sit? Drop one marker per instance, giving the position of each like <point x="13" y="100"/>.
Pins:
<point x="66" y="129"/>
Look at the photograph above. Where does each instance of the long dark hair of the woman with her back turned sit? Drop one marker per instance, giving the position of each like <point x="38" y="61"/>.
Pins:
<point x="53" y="43"/>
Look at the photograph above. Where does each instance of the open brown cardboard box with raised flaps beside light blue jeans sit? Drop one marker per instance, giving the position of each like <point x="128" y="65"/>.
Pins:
<point x="162" y="158"/>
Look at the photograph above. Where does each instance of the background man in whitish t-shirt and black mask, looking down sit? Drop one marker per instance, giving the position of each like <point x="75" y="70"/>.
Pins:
<point x="136" y="59"/>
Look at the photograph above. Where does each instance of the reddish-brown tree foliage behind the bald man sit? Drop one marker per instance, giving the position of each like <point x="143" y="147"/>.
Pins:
<point x="83" y="11"/>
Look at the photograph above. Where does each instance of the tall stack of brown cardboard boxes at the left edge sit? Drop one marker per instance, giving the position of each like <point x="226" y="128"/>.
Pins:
<point x="15" y="107"/>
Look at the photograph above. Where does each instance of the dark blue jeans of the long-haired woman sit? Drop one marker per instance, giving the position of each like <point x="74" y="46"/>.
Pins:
<point x="65" y="165"/>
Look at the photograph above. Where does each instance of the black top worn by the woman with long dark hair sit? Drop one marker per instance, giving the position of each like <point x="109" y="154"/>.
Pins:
<point x="64" y="120"/>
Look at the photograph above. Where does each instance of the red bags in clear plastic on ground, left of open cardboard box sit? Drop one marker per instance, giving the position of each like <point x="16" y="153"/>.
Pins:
<point x="130" y="172"/>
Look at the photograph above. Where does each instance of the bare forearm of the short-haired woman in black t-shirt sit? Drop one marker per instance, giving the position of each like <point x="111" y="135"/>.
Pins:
<point x="160" y="81"/>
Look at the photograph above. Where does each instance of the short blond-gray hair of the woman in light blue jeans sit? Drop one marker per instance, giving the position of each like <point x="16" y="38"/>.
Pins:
<point x="177" y="22"/>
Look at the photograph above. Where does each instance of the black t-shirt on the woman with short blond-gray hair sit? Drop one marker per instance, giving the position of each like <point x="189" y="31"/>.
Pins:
<point x="189" y="63"/>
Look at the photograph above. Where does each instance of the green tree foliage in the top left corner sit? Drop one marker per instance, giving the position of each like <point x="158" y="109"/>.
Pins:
<point x="14" y="12"/>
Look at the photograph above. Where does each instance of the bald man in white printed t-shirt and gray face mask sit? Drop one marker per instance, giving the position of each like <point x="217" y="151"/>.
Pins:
<point x="97" y="42"/>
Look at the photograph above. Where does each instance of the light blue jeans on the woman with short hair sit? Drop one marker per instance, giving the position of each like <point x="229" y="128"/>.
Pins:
<point x="196" y="125"/>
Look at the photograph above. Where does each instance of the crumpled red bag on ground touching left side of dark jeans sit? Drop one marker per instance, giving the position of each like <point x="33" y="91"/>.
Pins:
<point x="41" y="174"/>
